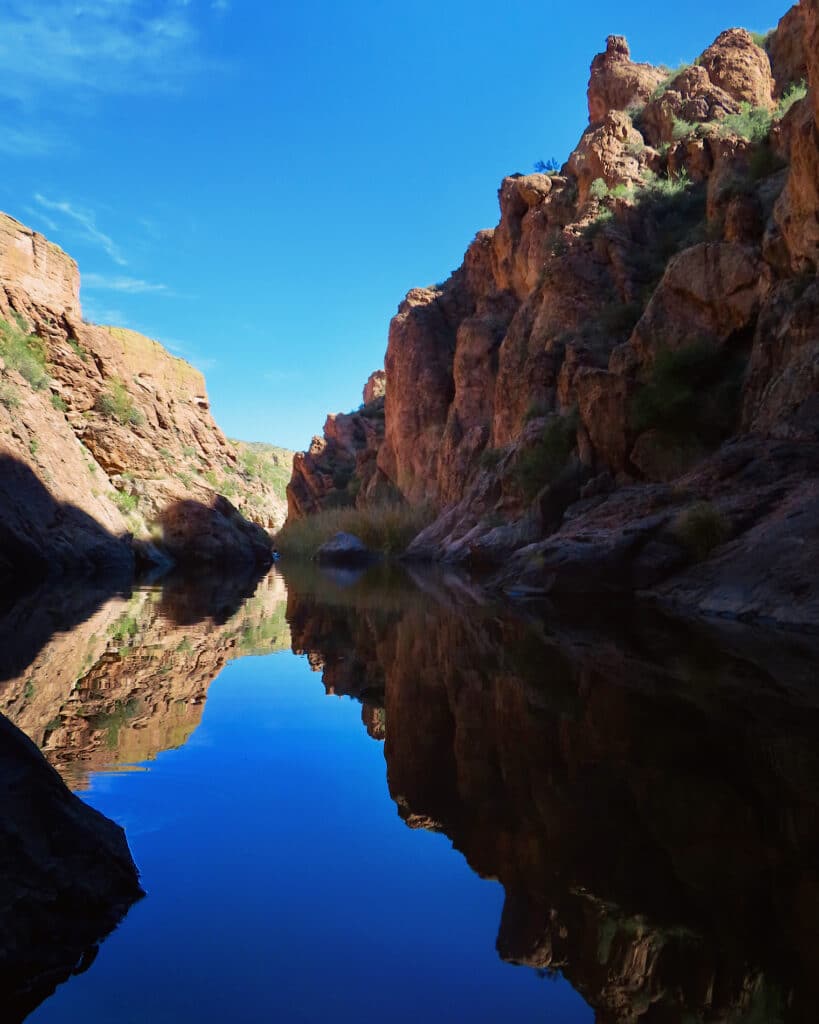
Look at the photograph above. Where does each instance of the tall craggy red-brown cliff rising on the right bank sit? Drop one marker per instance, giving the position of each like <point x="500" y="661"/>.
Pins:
<point x="632" y="324"/>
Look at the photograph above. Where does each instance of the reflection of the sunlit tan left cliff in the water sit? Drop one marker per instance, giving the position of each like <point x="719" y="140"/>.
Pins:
<point x="132" y="681"/>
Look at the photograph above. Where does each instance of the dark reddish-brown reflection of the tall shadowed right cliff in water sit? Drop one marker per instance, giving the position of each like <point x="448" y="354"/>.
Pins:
<point x="649" y="800"/>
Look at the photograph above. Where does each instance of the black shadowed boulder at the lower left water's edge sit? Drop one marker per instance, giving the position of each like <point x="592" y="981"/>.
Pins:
<point x="67" y="878"/>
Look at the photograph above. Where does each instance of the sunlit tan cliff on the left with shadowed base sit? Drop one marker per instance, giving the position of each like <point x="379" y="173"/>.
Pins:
<point x="110" y="424"/>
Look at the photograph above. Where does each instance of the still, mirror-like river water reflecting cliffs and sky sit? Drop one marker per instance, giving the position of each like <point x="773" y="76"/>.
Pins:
<point x="391" y="798"/>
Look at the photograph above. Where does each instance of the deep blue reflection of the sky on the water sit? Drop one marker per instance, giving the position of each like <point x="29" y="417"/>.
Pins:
<point x="282" y="885"/>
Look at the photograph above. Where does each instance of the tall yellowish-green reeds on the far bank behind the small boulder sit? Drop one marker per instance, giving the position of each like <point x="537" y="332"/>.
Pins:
<point x="386" y="529"/>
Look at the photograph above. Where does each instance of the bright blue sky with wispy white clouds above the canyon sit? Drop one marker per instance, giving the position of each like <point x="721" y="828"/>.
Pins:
<point x="257" y="185"/>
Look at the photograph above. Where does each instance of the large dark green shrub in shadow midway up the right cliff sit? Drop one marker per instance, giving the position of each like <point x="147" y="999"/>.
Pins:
<point x="692" y="395"/>
